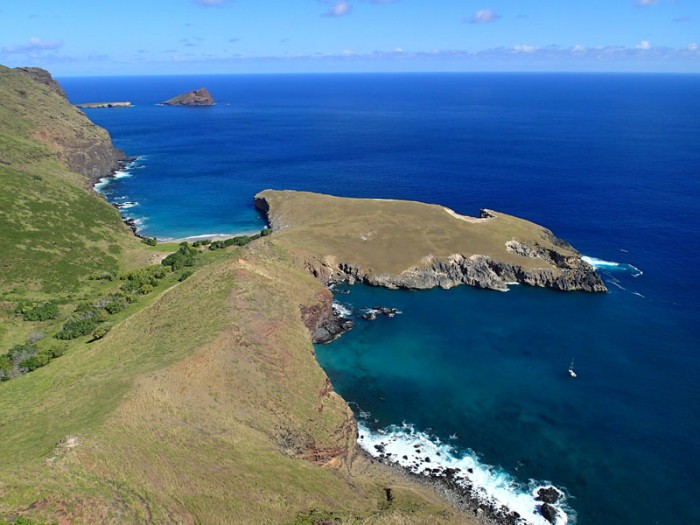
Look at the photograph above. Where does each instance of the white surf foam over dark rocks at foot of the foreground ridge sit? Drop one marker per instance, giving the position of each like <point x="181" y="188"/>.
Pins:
<point x="422" y="454"/>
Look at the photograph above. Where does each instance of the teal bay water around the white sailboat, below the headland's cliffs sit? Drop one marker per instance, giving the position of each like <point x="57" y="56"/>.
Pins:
<point x="490" y="369"/>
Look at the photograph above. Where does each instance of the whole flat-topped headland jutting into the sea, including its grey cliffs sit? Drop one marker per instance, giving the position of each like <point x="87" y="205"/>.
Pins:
<point x="403" y="244"/>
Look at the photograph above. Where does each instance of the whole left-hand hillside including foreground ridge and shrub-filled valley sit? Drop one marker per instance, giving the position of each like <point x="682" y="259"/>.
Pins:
<point x="203" y="402"/>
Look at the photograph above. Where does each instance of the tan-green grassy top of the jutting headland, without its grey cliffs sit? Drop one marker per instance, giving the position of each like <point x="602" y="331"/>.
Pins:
<point x="389" y="236"/>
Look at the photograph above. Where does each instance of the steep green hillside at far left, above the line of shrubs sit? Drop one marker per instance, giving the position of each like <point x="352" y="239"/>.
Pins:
<point x="52" y="231"/>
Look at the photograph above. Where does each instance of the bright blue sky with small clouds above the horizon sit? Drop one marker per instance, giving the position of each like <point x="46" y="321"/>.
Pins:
<point x="134" y="37"/>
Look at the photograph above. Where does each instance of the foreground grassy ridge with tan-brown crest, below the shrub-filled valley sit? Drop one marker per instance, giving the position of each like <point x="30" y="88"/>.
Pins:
<point x="205" y="407"/>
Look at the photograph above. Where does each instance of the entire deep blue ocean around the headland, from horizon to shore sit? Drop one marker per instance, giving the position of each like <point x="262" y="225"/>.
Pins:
<point x="611" y="163"/>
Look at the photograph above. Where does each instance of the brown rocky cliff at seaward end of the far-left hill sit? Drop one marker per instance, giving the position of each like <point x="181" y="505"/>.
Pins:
<point x="84" y="147"/>
